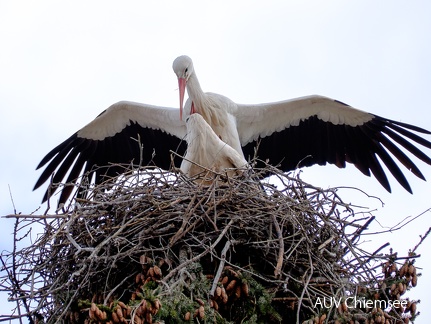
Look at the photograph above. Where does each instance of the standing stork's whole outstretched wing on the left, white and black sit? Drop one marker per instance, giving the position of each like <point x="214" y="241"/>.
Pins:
<point x="113" y="139"/>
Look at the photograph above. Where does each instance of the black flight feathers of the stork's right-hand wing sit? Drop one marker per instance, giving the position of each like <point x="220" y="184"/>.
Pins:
<point x="314" y="141"/>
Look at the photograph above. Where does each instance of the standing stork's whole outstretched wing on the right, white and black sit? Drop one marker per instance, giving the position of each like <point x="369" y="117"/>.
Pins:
<point x="319" y="130"/>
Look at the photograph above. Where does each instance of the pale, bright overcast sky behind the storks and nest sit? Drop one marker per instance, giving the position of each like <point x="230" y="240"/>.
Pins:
<point x="62" y="63"/>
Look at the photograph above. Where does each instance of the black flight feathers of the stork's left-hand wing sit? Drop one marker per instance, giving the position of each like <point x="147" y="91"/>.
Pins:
<point x="107" y="158"/>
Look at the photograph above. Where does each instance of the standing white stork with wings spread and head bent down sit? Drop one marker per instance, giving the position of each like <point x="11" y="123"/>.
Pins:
<point x="292" y="133"/>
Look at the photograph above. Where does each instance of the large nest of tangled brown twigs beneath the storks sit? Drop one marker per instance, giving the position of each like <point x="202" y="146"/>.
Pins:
<point x="159" y="248"/>
